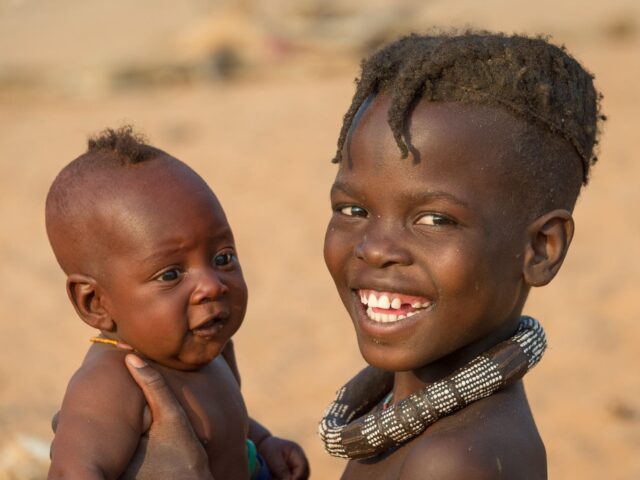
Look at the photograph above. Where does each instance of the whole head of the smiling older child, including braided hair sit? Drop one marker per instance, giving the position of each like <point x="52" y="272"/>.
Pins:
<point x="460" y="162"/>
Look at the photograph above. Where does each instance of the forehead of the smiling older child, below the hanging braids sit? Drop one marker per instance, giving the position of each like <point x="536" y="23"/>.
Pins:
<point x="467" y="152"/>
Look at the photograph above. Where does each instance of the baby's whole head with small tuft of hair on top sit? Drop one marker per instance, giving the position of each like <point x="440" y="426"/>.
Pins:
<point x="149" y="256"/>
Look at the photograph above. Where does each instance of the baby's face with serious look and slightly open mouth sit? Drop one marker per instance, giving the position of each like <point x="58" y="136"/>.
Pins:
<point x="172" y="284"/>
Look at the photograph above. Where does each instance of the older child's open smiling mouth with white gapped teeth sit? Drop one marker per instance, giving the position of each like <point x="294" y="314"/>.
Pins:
<point x="389" y="307"/>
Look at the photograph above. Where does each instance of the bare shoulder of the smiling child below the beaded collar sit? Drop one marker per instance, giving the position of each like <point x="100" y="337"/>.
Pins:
<point x="493" y="438"/>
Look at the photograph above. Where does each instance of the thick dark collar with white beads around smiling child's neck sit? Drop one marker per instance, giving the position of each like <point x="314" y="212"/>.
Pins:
<point x="380" y="430"/>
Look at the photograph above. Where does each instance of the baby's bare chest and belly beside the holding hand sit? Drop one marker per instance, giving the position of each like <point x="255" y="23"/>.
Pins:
<point x="212" y="400"/>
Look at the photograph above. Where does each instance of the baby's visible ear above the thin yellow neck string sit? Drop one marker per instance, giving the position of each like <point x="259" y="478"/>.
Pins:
<point x="83" y="292"/>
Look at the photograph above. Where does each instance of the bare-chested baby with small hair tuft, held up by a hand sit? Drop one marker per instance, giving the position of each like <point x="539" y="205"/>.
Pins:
<point x="151" y="263"/>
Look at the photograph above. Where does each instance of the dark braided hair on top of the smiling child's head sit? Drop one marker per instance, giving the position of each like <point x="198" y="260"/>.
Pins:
<point x="528" y="76"/>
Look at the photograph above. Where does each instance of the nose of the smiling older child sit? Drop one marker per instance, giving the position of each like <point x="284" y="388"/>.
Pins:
<point x="383" y="246"/>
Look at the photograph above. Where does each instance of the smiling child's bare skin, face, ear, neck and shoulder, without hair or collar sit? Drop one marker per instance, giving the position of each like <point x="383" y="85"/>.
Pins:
<point x="441" y="228"/>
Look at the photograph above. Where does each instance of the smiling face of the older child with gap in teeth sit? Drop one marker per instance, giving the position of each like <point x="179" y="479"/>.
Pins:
<point x="427" y="254"/>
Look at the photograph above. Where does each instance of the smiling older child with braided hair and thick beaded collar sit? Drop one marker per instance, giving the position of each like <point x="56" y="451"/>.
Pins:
<point x="460" y="162"/>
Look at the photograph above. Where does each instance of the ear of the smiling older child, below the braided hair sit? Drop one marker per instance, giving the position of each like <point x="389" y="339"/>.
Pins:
<point x="549" y="239"/>
